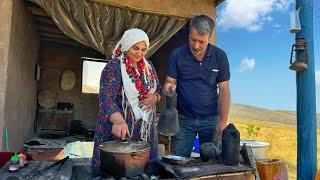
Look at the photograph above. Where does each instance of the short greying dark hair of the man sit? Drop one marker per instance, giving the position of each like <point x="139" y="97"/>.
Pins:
<point x="203" y="24"/>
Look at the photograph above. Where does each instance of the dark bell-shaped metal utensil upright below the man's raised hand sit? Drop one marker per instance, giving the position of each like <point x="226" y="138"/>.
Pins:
<point x="168" y="124"/>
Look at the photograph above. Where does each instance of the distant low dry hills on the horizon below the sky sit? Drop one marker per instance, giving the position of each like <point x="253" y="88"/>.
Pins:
<point x="262" y="114"/>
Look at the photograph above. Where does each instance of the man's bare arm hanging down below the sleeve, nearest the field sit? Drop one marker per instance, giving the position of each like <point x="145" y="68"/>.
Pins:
<point x="224" y="106"/>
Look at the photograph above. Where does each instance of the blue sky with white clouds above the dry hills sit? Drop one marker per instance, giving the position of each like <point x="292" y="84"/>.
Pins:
<point x="255" y="35"/>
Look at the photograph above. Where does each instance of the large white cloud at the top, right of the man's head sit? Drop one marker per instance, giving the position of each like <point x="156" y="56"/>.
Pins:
<point x="249" y="14"/>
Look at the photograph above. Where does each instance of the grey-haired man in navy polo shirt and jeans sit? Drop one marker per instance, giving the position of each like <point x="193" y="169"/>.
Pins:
<point x="197" y="71"/>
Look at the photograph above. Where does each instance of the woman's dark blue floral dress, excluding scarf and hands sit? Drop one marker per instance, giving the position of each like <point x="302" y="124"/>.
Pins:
<point x="110" y="101"/>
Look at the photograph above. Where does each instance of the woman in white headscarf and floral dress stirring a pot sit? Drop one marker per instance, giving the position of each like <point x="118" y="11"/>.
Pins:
<point x="129" y="91"/>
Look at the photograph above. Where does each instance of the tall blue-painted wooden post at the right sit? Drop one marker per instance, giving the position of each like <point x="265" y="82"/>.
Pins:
<point x="306" y="104"/>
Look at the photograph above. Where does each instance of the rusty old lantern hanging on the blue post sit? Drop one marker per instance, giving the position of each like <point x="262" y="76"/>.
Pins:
<point x="299" y="56"/>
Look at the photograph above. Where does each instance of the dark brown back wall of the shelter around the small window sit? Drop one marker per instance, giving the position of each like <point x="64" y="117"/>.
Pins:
<point x="54" y="59"/>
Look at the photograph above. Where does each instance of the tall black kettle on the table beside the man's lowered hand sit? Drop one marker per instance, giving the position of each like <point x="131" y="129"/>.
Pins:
<point x="230" y="145"/>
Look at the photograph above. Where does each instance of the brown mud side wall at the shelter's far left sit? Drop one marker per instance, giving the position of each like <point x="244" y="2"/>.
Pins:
<point x="21" y="87"/>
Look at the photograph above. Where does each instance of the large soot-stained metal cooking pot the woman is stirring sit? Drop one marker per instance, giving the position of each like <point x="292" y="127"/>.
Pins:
<point x="124" y="159"/>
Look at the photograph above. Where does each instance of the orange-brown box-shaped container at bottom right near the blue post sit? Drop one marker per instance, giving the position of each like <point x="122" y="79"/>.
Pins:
<point x="272" y="169"/>
